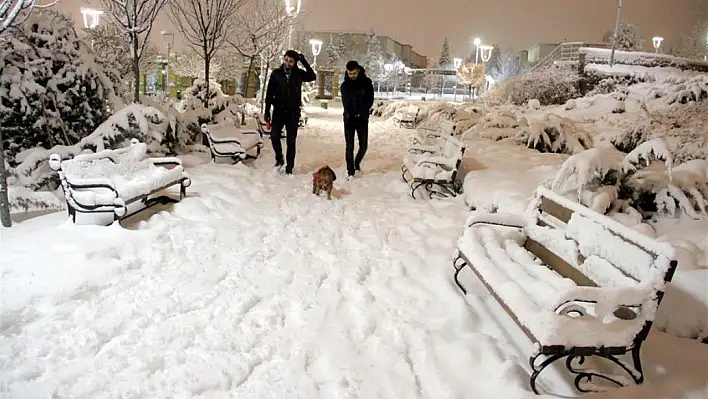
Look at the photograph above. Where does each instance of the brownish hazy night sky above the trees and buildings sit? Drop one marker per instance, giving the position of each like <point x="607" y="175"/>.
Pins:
<point x="511" y="24"/>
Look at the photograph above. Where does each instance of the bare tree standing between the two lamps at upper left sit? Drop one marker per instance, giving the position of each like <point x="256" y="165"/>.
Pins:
<point x="136" y="18"/>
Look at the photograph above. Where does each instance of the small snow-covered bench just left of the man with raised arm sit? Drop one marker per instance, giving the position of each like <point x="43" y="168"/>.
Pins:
<point x="226" y="141"/>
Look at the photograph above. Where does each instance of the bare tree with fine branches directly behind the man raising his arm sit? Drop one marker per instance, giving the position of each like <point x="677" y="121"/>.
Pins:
<point x="261" y="23"/>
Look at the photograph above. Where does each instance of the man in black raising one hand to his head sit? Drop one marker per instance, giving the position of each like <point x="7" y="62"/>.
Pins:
<point x="284" y="93"/>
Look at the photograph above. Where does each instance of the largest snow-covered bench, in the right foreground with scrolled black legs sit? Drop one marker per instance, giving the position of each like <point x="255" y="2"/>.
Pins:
<point x="578" y="283"/>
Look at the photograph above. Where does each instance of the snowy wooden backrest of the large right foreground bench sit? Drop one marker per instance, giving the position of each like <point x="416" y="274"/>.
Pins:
<point x="594" y="250"/>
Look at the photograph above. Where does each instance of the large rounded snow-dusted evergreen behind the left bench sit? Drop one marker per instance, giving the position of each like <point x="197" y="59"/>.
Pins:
<point x="52" y="91"/>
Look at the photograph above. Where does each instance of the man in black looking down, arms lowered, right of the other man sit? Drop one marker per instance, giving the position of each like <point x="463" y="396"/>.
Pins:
<point x="357" y="98"/>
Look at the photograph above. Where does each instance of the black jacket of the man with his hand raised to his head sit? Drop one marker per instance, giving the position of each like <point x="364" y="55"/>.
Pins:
<point x="284" y="94"/>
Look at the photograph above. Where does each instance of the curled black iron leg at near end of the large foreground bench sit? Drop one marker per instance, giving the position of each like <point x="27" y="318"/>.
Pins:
<point x="574" y="361"/>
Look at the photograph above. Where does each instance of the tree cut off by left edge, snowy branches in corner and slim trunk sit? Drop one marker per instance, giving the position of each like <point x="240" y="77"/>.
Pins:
<point x="12" y="13"/>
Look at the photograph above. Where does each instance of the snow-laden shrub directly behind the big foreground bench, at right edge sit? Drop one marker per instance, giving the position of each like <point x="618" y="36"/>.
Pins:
<point x="612" y="182"/>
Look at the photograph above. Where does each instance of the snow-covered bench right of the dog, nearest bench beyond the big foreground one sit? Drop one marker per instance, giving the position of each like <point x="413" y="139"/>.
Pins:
<point x="434" y="168"/>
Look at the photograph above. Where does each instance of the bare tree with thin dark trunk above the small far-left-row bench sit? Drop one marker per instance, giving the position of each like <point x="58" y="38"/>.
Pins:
<point x="205" y="26"/>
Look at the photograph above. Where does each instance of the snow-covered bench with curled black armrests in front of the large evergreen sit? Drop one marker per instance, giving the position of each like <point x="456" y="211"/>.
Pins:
<point x="118" y="181"/>
